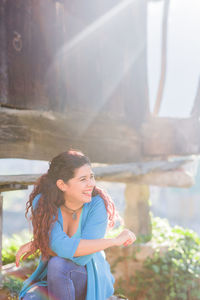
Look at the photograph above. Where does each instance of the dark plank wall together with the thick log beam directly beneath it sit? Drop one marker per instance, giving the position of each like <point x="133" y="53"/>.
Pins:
<point x="67" y="59"/>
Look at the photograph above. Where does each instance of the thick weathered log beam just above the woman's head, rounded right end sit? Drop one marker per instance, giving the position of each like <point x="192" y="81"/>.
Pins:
<point x="42" y="135"/>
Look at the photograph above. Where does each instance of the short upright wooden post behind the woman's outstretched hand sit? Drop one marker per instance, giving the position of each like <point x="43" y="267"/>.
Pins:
<point x="137" y="216"/>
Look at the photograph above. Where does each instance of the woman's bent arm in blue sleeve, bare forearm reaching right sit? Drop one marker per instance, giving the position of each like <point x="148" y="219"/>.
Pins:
<point x="92" y="240"/>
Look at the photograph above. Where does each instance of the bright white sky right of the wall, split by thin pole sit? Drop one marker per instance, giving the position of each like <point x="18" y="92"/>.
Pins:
<point x="183" y="55"/>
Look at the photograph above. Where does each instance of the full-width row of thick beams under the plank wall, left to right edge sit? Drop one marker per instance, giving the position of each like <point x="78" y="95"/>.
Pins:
<point x="42" y="135"/>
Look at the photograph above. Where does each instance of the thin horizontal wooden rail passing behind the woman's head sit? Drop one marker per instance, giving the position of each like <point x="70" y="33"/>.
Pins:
<point x="161" y="173"/>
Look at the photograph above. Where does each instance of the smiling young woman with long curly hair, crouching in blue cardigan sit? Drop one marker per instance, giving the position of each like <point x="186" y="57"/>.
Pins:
<point x="70" y="216"/>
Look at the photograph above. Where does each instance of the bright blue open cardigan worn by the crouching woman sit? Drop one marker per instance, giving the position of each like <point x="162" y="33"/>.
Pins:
<point x="93" y="226"/>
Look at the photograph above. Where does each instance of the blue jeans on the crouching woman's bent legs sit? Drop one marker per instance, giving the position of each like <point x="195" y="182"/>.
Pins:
<point x="66" y="281"/>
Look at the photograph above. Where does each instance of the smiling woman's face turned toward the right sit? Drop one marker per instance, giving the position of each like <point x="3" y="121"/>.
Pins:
<point x="80" y="187"/>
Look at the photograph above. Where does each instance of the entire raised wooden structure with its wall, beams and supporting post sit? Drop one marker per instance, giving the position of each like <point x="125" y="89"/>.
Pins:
<point x="75" y="75"/>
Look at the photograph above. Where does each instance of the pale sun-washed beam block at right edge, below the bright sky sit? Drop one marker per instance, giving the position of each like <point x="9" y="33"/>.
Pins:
<point x="163" y="137"/>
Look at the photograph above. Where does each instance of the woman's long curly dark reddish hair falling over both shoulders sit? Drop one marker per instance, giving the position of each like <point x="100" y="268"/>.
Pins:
<point x="45" y="214"/>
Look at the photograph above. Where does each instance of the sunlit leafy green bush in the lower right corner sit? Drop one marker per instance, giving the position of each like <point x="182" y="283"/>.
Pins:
<point x="172" y="275"/>
